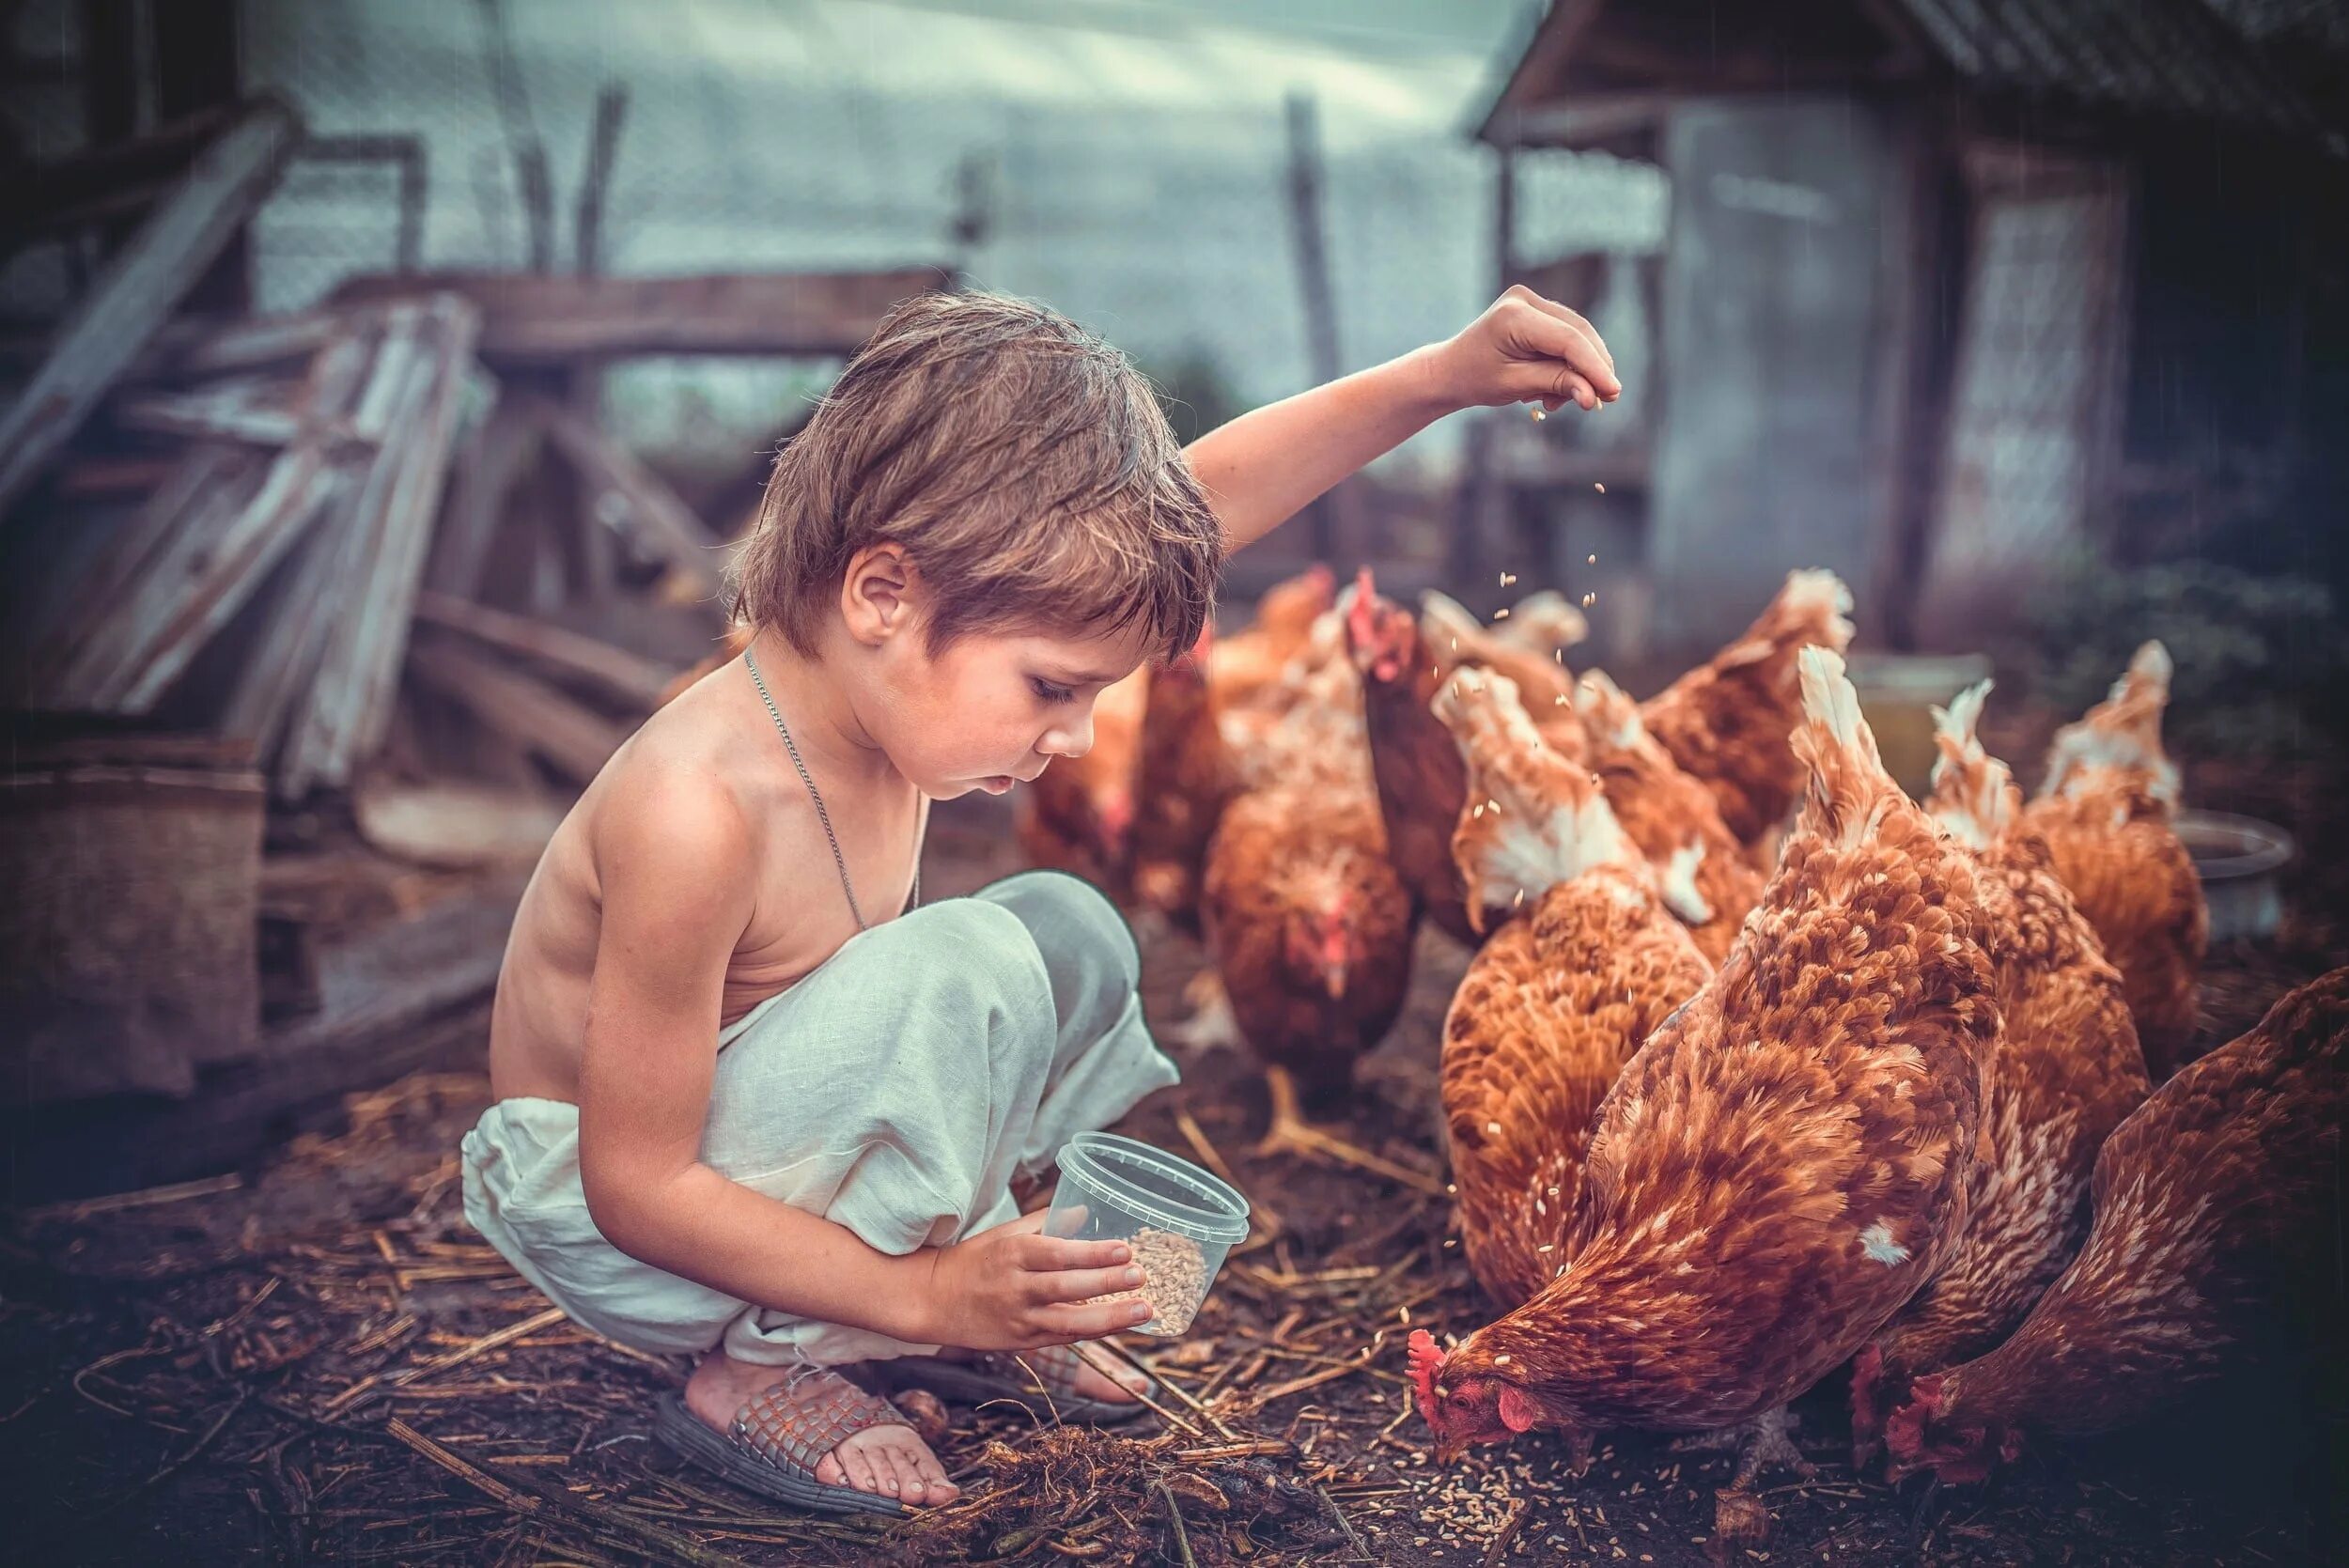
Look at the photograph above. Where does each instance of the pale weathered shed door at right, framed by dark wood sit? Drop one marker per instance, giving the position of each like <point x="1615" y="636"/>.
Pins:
<point x="2035" y="391"/>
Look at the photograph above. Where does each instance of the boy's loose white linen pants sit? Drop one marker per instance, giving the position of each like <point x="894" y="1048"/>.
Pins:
<point x="896" y="1090"/>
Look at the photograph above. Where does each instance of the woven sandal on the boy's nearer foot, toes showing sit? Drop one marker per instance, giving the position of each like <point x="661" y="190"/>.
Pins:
<point x="781" y="1435"/>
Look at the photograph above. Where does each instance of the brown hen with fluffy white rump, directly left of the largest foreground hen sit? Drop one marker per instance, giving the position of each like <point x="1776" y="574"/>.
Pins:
<point x="1559" y="1001"/>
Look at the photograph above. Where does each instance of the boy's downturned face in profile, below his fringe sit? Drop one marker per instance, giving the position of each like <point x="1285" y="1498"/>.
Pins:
<point x="995" y="710"/>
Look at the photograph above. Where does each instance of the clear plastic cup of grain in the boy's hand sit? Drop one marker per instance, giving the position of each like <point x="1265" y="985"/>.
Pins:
<point x="1178" y="1219"/>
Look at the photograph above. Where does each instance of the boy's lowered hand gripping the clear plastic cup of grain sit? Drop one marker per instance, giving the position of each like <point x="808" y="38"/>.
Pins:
<point x="1016" y="1290"/>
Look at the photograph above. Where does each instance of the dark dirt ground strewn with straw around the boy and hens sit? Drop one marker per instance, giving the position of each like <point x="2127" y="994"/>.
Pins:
<point x="316" y="1360"/>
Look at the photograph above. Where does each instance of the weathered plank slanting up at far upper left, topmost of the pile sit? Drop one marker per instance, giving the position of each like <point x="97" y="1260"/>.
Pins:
<point x="140" y="288"/>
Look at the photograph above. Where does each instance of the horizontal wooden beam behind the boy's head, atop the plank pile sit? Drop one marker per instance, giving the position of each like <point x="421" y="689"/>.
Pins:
<point x="556" y="320"/>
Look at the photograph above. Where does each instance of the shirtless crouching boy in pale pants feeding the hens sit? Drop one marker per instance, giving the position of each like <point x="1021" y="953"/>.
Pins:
<point x="753" y="1114"/>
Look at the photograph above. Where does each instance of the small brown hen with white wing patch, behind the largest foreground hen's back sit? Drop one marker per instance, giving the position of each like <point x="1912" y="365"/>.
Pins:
<point x="1678" y="825"/>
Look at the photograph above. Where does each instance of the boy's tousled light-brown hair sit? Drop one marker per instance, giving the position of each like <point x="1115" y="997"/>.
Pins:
<point x="1021" y="461"/>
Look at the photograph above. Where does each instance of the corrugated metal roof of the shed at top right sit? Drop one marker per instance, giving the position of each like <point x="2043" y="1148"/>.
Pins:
<point x="2172" y="58"/>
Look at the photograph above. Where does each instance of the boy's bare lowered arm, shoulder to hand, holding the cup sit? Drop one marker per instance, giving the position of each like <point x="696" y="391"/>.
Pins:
<point x="675" y="903"/>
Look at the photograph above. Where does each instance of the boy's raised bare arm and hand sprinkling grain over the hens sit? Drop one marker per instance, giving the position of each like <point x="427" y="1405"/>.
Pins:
<point x="1270" y="464"/>
